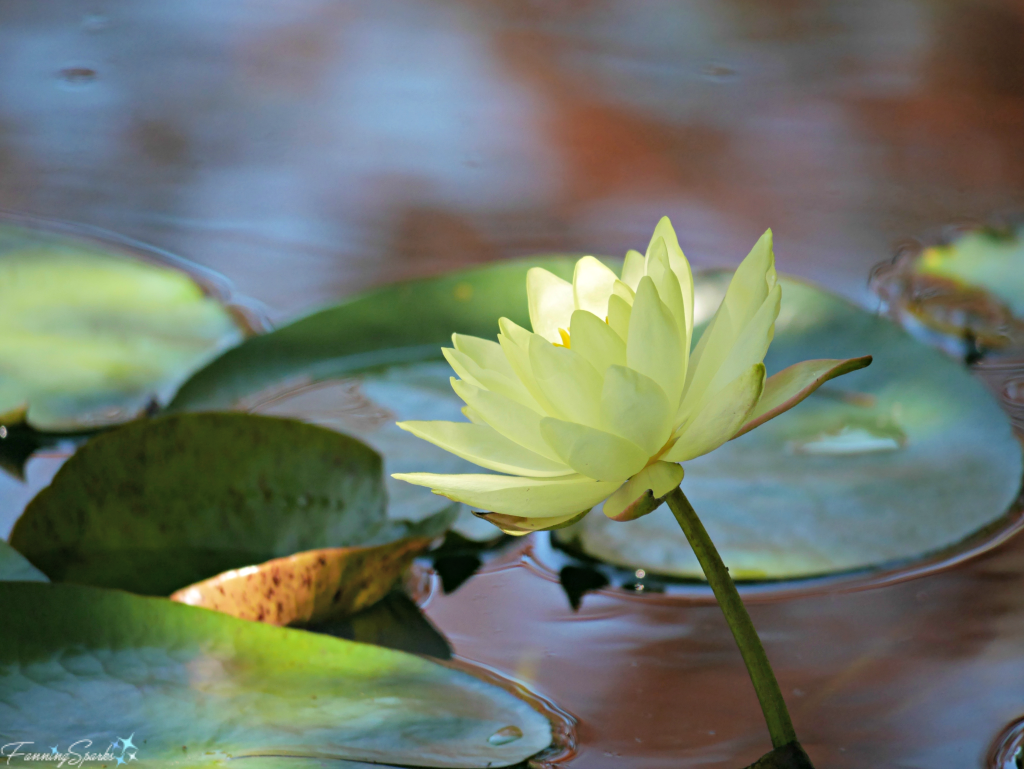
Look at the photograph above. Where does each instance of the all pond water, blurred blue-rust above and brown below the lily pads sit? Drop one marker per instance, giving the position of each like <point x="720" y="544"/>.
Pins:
<point x="311" y="149"/>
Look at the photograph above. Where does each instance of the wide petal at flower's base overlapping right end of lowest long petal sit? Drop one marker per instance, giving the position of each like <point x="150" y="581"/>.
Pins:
<point x="593" y="453"/>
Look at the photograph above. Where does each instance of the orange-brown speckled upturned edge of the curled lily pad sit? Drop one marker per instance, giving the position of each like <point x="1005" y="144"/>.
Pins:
<point x="313" y="587"/>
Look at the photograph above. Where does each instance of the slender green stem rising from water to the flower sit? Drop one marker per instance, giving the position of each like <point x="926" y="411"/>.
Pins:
<point x="773" y="705"/>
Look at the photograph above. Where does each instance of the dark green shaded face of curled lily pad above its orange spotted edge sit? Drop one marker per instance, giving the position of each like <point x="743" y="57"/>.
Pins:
<point x="160" y="504"/>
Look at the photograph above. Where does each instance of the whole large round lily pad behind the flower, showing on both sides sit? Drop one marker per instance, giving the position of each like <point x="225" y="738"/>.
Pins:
<point x="903" y="459"/>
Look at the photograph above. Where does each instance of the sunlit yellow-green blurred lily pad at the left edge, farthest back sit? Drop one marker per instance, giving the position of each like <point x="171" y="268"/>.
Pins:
<point x="91" y="336"/>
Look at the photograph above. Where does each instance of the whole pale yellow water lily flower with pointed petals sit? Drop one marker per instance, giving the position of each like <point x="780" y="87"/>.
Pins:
<point x="605" y="399"/>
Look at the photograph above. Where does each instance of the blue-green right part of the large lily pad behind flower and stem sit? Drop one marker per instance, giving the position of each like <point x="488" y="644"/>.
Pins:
<point x="901" y="460"/>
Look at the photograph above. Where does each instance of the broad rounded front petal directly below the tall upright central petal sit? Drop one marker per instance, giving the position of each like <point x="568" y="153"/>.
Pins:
<point x="635" y="407"/>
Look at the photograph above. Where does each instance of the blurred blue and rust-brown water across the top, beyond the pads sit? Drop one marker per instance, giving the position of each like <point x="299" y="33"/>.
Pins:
<point x="310" y="149"/>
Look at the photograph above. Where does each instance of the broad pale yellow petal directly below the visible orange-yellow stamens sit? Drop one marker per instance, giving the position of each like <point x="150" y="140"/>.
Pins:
<point x="569" y="383"/>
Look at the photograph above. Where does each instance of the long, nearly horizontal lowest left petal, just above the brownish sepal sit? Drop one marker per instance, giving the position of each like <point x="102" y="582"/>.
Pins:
<point x="528" y="498"/>
